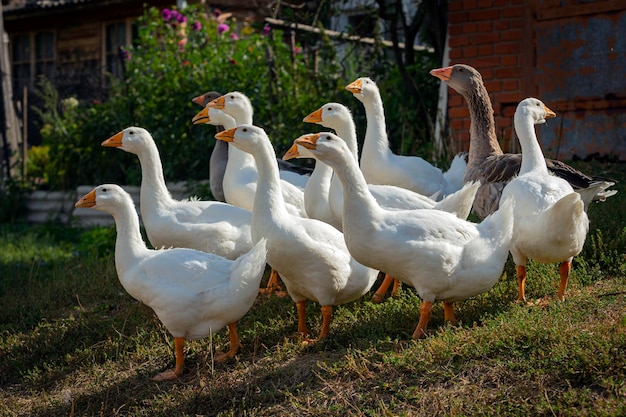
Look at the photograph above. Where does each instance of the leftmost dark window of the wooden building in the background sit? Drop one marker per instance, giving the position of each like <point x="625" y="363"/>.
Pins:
<point x="33" y="54"/>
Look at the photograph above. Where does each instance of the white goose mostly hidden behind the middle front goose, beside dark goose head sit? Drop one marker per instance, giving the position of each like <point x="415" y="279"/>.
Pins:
<point x="241" y="172"/>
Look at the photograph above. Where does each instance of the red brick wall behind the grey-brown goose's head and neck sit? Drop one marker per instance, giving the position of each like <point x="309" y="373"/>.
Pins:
<point x="488" y="35"/>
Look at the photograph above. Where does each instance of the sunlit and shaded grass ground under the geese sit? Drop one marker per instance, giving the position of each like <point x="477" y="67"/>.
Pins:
<point x="73" y="343"/>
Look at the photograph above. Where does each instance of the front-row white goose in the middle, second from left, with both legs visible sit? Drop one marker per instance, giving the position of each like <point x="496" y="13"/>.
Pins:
<point x="311" y="256"/>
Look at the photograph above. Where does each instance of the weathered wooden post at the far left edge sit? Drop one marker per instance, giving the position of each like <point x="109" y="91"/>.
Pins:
<point x="9" y="125"/>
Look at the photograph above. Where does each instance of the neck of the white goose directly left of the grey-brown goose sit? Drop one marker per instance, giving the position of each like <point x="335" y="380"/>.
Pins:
<point x="376" y="143"/>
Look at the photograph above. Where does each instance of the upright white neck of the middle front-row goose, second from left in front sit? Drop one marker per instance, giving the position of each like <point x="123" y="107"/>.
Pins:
<point x="269" y="204"/>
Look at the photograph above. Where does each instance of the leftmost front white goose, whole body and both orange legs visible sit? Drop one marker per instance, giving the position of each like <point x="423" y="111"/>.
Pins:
<point x="193" y="293"/>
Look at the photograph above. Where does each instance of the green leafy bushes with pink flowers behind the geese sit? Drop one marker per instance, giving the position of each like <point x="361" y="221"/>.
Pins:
<point x="179" y="55"/>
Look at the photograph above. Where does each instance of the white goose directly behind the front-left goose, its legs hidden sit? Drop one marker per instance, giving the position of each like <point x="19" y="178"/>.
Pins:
<point x="209" y="226"/>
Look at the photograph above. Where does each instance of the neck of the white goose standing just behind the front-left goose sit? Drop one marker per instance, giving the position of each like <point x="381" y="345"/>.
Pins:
<point x="154" y="192"/>
